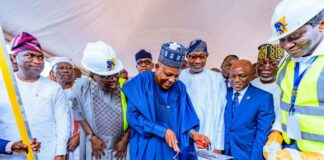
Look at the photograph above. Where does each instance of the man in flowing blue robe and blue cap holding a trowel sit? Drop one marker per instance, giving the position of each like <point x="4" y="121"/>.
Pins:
<point x="163" y="121"/>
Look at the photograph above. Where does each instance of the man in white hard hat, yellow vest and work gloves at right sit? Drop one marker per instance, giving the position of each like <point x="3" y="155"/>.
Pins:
<point x="298" y="25"/>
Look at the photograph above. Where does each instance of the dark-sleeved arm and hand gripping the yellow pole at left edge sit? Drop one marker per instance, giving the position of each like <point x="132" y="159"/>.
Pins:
<point x="7" y="147"/>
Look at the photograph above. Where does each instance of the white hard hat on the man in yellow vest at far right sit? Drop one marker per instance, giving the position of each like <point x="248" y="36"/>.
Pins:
<point x="289" y="15"/>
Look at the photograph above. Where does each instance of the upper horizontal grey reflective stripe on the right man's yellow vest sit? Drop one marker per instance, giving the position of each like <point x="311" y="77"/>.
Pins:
<point x="305" y="110"/>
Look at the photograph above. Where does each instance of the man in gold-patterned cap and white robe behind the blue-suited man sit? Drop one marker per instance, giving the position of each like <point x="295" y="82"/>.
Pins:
<point x="268" y="60"/>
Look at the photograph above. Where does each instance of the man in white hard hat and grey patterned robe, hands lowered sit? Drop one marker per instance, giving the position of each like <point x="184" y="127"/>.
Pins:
<point x="100" y="106"/>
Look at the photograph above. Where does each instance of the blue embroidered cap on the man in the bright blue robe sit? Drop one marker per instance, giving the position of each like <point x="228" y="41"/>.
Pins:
<point x="172" y="54"/>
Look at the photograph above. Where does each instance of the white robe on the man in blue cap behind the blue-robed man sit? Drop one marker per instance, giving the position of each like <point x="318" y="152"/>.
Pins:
<point x="207" y="92"/>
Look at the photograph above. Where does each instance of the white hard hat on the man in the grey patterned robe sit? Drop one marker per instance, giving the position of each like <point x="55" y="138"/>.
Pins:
<point x="101" y="59"/>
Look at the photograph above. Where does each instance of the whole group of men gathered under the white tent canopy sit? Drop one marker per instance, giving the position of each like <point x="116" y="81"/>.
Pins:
<point x="171" y="109"/>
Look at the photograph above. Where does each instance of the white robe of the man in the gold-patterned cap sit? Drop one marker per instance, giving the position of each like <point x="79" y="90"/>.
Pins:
<point x="276" y="92"/>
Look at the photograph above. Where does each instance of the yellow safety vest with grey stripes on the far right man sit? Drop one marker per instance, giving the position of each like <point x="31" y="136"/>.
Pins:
<point x="309" y="104"/>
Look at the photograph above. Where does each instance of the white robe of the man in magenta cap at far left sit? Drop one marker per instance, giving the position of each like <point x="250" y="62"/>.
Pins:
<point x="48" y="115"/>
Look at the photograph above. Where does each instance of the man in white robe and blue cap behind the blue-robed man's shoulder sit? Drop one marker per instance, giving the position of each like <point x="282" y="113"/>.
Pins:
<point x="207" y="92"/>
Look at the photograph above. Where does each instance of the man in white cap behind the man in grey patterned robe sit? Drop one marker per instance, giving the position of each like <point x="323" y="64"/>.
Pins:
<point x="62" y="69"/>
